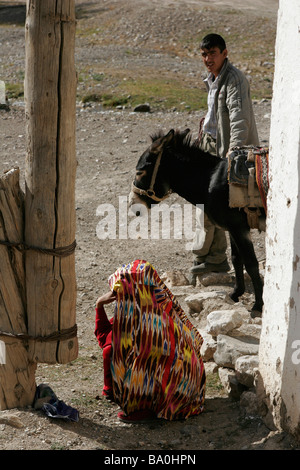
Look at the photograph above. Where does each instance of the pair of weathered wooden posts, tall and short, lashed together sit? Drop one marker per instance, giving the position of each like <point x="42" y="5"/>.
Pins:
<point x="37" y="229"/>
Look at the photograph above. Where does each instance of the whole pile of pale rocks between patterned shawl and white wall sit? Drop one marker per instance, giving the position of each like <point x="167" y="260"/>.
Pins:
<point x="230" y="336"/>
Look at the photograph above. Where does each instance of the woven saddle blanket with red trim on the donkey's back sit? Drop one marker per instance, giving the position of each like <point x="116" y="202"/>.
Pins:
<point x="248" y="169"/>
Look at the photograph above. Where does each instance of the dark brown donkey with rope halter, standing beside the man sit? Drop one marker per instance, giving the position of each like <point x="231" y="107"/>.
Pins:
<point x="173" y="163"/>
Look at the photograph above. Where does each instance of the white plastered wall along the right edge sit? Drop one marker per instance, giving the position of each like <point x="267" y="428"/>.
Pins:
<point x="280" y="339"/>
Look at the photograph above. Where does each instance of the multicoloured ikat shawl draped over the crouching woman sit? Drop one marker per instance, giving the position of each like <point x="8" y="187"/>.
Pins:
<point x="156" y="360"/>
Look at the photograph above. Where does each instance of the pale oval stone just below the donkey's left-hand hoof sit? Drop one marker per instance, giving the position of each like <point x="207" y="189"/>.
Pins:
<point x="223" y="321"/>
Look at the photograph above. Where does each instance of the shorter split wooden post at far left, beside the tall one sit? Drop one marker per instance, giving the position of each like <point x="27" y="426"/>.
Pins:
<point x="17" y="374"/>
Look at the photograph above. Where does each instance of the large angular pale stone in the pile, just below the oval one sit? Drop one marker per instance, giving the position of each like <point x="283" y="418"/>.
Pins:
<point x="230" y="348"/>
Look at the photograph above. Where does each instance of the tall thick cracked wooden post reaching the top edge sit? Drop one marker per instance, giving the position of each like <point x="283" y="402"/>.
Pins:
<point x="50" y="100"/>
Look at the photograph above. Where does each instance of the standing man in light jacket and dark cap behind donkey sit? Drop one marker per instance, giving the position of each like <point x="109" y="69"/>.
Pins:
<point x="229" y="122"/>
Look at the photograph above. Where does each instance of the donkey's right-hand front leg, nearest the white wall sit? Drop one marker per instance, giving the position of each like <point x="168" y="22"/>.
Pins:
<point x="247" y="253"/>
